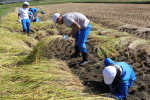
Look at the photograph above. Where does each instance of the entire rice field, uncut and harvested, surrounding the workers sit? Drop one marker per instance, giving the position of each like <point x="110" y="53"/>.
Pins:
<point x="39" y="67"/>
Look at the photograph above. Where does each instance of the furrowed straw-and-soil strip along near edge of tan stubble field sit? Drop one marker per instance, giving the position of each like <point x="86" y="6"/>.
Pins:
<point x="142" y="32"/>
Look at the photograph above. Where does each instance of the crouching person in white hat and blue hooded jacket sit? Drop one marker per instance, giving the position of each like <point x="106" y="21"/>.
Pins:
<point x="119" y="76"/>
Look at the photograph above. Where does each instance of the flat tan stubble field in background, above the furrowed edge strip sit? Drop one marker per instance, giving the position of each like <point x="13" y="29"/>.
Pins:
<point x="135" y="14"/>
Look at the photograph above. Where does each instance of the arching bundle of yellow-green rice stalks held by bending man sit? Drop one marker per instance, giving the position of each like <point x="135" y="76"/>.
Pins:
<point x="48" y="47"/>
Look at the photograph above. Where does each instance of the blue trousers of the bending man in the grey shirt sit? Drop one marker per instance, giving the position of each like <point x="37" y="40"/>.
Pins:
<point x="81" y="38"/>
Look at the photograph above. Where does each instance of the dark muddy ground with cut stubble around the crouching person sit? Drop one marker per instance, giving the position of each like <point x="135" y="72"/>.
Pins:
<point x="91" y="74"/>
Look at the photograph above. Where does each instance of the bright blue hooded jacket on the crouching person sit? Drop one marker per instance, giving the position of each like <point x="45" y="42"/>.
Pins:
<point x="128" y="77"/>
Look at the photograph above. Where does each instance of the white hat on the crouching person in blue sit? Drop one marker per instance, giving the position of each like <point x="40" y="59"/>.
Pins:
<point x="109" y="74"/>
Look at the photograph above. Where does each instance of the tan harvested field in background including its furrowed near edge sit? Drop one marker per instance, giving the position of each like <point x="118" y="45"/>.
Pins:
<point x="132" y="18"/>
